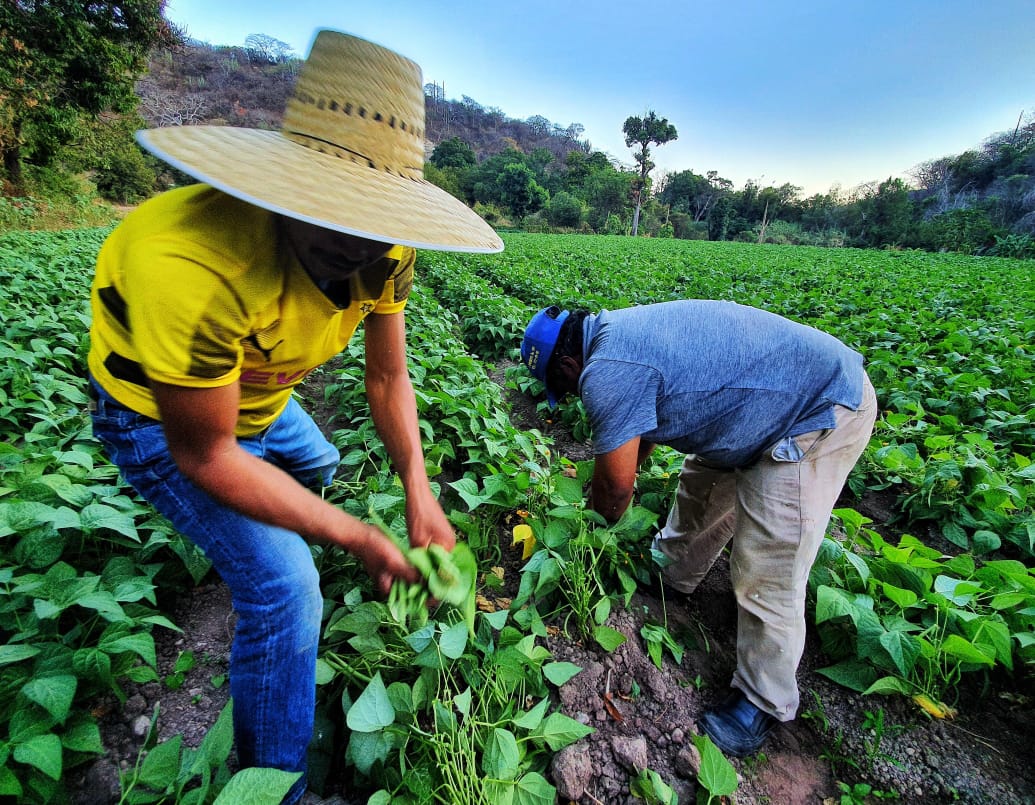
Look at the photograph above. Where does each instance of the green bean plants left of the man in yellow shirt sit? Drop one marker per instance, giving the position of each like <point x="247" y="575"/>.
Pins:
<point x="79" y="611"/>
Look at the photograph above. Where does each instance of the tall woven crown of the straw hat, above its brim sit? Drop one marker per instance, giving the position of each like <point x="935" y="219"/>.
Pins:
<point x="360" y="102"/>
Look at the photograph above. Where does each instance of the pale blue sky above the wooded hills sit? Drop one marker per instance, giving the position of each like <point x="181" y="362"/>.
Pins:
<point x="814" y="93"/>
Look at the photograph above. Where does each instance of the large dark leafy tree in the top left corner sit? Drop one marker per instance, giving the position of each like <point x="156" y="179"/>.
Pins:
<point x="65" y="59"/>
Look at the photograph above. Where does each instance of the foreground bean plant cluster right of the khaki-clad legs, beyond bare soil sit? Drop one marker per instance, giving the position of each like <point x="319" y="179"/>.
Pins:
<point x="906" y="619"/>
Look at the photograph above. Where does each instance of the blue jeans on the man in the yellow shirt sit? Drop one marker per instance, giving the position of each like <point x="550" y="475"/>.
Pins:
<point x="270" y="572"/>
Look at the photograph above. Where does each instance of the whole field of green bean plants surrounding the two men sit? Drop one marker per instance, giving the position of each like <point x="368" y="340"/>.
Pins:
<point x="438" y="712"/>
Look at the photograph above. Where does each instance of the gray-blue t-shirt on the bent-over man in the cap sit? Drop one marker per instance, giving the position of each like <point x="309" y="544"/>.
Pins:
<point x="720" y="380"/>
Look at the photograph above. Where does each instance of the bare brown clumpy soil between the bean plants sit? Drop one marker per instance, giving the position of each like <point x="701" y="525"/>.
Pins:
<point x="643" y="717"/>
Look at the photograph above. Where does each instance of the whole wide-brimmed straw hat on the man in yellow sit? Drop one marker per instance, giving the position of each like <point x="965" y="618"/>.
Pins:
<point x="349" y="158"/>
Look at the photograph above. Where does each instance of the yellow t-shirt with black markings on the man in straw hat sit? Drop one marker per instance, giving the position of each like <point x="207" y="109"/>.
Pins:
<point x="192" y="290"/>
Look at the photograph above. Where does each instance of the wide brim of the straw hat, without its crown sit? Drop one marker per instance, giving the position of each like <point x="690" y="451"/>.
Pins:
<point x="269" y="170"/>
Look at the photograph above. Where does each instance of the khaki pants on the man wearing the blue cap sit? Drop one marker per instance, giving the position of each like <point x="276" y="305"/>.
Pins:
<point x="776" y="514"/>
